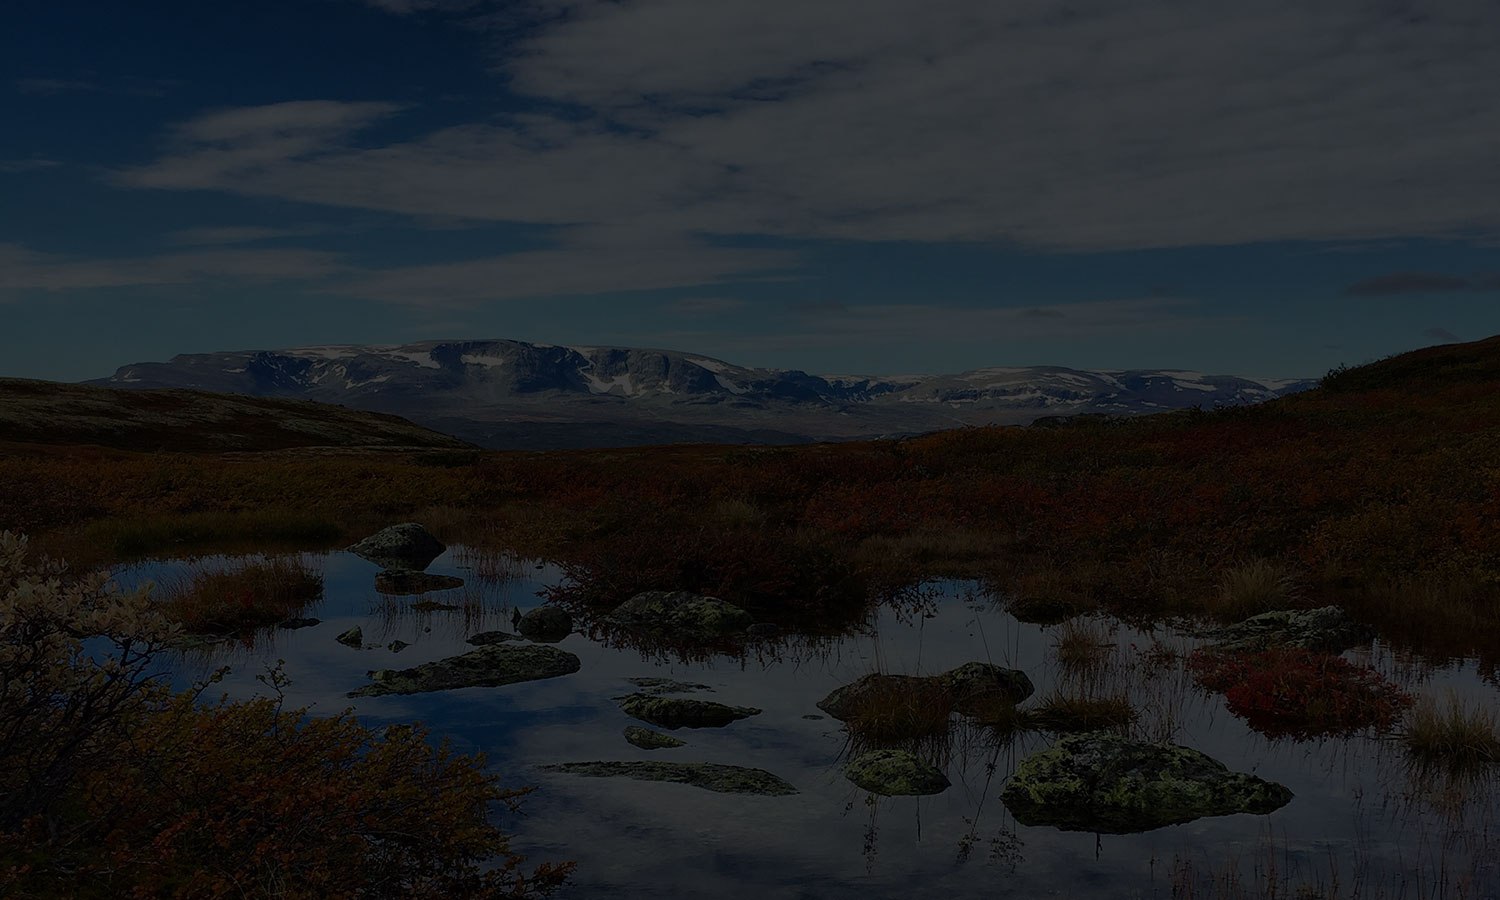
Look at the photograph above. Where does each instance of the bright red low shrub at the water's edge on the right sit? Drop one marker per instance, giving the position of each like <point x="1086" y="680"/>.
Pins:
<point x="1300" y="694"/>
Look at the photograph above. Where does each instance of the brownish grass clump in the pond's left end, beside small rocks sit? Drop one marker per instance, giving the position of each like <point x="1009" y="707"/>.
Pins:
<point x="241" y="598"/>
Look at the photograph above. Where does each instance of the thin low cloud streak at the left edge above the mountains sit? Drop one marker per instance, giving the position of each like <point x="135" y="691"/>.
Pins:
<point x="29" y="271"/>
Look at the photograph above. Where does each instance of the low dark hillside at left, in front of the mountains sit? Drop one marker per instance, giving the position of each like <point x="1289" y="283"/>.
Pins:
<point x="193" y="421"/>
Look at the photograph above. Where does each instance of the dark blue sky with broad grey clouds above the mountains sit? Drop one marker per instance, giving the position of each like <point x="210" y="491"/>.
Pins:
<point x="839" y="187"/>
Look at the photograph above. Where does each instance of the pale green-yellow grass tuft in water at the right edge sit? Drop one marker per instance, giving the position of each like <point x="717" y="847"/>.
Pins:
<point x="1453" y="739"/>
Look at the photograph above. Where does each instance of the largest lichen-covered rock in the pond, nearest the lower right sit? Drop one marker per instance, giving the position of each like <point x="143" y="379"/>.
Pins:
<point x="1112" y="785"/>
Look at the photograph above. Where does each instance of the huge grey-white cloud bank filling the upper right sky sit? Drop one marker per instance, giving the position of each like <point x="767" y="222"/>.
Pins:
<point x="1082" y="127"/>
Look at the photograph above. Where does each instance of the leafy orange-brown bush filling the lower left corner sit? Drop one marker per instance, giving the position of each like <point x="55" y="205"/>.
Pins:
<point x="115" y="787"/>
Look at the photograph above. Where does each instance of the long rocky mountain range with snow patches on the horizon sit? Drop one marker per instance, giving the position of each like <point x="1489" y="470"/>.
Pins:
<point x="511" y="394"/>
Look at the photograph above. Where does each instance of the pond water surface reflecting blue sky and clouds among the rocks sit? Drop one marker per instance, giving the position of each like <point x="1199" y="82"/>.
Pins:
<point x="640" y="838"/>
